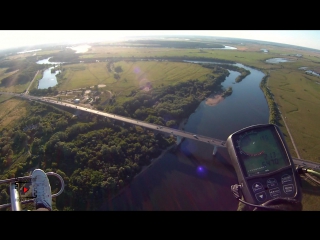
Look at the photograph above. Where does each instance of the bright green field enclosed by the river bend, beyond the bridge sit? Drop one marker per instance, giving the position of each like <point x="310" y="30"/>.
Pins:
<point x="134" y="75"/>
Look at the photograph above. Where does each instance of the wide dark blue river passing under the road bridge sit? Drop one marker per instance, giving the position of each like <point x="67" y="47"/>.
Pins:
<point x="191" y="178"/>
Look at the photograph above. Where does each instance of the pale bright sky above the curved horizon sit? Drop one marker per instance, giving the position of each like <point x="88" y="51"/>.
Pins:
<point x="21" y="38"/>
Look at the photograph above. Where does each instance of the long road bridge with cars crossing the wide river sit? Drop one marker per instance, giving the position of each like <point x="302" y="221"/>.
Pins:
<point x="156" y="128"/>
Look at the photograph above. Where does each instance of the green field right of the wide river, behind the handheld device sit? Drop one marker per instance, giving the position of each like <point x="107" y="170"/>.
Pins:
<point x="298" y="97"/>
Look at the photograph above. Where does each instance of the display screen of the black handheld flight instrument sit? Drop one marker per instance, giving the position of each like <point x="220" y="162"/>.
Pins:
<point x="260" y="151"/>
